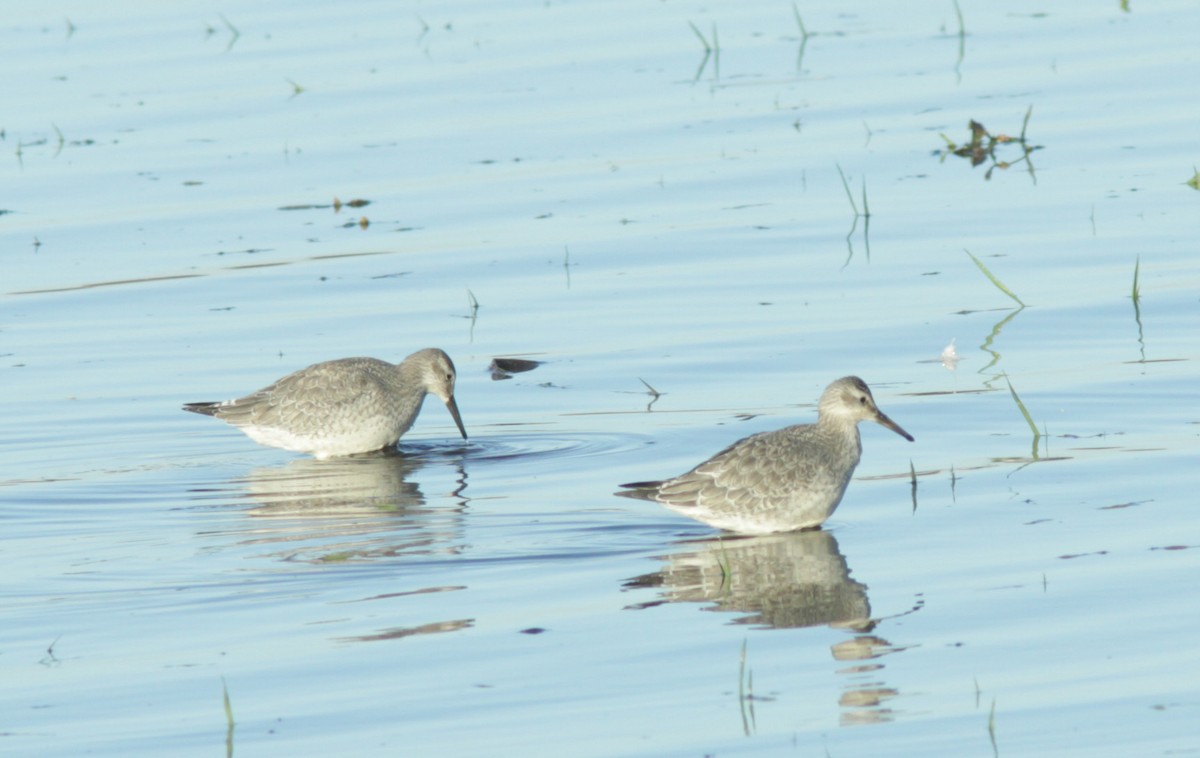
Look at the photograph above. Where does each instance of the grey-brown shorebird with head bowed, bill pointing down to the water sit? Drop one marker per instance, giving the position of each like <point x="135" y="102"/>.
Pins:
<point x="344" y="407"/>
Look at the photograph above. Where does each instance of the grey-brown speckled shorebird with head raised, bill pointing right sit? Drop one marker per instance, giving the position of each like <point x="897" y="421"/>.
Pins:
<point x="778" y="482"/>
